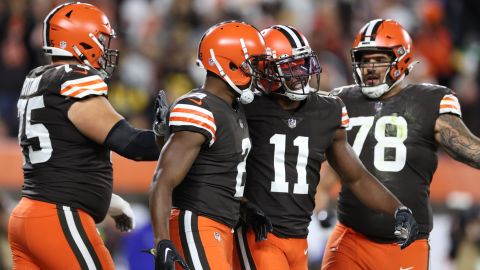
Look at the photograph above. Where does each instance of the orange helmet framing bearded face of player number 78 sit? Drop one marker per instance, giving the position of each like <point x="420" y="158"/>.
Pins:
<point x="383" y="36"/>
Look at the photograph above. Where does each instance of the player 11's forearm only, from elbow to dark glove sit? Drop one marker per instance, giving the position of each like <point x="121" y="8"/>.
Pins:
<point x="374" y="195"/>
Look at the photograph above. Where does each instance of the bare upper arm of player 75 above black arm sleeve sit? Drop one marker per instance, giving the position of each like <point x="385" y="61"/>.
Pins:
<point x="94" y="117"/>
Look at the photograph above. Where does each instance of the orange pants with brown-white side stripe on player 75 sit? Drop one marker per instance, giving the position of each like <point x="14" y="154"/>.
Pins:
<point x="48" y="236"/>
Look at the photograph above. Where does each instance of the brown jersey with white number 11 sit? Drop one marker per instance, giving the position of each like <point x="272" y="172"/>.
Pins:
<point x="287" y="151"/>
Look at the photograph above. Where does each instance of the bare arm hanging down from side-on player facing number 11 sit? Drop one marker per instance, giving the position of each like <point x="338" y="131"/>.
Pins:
<point x="176" y="158"/>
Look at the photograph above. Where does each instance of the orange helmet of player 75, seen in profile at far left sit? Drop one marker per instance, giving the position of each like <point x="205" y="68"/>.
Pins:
<point x="81" y="31"/>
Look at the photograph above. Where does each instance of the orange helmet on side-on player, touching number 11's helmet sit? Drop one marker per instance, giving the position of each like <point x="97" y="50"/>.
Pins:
<point x="233" y="51"/>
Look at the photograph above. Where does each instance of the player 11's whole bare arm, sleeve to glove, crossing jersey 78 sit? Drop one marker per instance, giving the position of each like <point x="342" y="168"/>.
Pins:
<point x="364" y="185"/>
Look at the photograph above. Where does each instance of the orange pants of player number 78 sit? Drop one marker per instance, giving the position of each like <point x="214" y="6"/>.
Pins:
<point x="349" y="250"/>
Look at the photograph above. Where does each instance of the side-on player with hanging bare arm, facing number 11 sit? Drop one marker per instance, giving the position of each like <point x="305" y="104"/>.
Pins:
<point x="198" y="183"/>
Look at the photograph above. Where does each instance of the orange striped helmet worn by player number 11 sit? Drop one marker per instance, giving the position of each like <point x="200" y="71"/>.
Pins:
<point x="294" y="63"/>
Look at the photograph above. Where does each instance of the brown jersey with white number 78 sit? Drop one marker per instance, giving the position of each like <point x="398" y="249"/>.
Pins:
<point x="394" y="138"/>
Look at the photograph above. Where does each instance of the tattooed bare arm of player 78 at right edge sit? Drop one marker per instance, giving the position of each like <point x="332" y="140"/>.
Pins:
<point x="455" y="138"/>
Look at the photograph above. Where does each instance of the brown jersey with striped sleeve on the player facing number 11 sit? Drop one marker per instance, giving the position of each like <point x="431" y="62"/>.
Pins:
<point x="215" y="182"/>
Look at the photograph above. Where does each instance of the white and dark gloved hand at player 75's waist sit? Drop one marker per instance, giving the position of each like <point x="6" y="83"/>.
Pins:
<point x="122" y="213"/>
